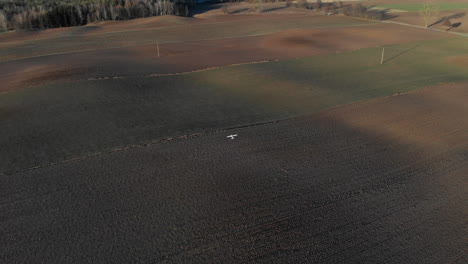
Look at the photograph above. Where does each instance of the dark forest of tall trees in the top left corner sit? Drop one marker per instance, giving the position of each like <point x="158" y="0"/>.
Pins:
<point x="42" y="14"/>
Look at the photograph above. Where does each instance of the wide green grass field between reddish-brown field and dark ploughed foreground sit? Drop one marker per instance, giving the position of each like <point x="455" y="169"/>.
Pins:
<point x="62" y="121"/>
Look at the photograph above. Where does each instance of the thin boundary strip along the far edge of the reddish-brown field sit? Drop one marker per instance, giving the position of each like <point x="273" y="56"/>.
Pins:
<point x="185" y="41"/>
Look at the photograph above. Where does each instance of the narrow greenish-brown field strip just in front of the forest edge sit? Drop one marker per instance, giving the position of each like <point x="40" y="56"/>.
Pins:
<point x="69" y="43"/>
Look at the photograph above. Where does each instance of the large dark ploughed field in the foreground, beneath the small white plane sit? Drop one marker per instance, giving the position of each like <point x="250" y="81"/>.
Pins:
<point x="377" y="182"/>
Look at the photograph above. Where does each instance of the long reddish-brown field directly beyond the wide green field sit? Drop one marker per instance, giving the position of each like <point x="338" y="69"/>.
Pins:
<point x="196" y="55"/>
